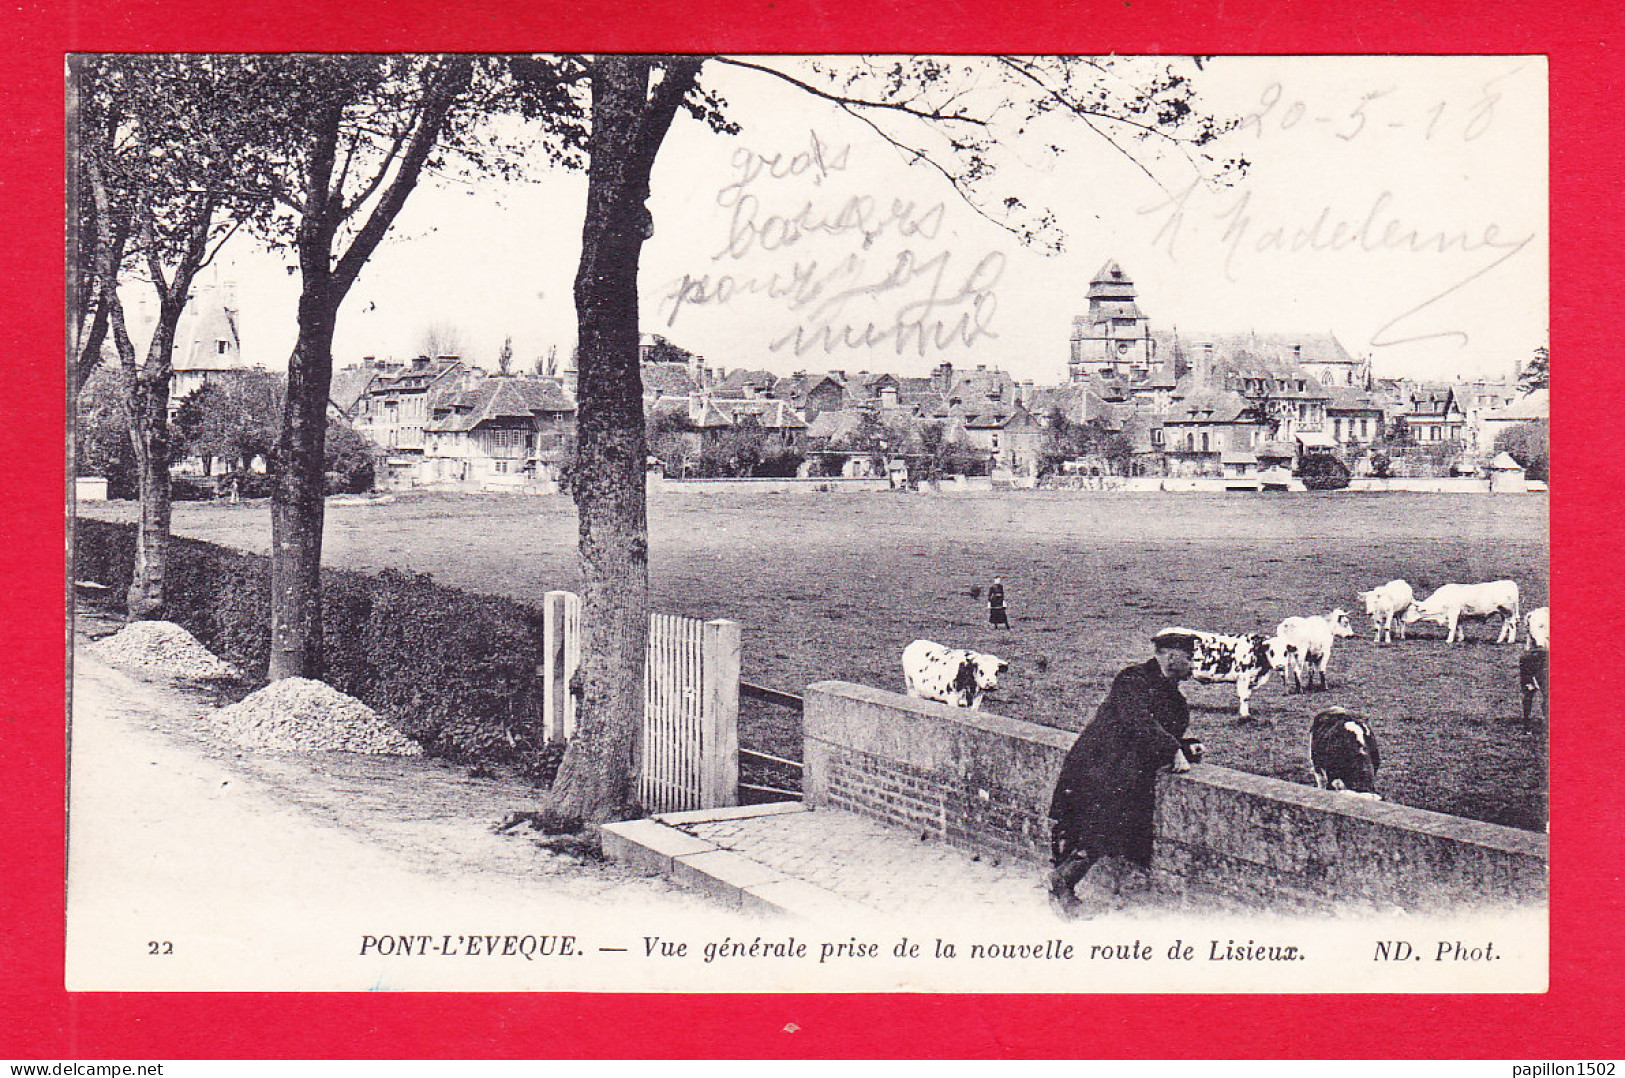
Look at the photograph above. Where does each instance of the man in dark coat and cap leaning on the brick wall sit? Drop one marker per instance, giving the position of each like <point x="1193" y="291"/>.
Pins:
<point x="1104" y="798"/>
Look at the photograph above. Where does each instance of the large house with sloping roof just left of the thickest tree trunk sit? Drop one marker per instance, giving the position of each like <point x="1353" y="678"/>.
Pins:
<point x="498" y="432"/>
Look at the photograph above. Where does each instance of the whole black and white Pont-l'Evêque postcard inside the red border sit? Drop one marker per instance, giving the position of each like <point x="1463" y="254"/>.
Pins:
<point x="808" y="523"/>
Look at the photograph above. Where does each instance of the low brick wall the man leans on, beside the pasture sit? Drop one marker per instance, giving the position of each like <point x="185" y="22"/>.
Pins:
<point x="982" y="783"/>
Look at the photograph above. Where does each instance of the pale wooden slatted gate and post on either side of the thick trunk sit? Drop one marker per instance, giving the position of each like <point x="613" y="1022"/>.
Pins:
<point x="688" y="749"/>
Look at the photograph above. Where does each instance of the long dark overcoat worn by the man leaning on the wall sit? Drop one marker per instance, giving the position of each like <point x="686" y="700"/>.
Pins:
<point x="1107" y="789"/>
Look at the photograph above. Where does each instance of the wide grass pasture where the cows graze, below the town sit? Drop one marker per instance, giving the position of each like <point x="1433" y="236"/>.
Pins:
<point x="836" y="585"/>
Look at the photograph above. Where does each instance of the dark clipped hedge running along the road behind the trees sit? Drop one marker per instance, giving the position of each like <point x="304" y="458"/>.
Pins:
<point x="451" y="669"/>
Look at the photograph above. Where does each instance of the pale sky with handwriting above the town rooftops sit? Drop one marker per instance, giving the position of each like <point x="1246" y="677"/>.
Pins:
<point x="1397" y="202"/>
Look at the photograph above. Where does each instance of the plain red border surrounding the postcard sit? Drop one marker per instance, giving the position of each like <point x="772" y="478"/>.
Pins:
<point x="1579" y="1019"/>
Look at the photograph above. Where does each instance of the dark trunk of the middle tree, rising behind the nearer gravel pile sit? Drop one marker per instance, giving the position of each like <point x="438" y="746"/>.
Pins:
<point x="298" y="505"/>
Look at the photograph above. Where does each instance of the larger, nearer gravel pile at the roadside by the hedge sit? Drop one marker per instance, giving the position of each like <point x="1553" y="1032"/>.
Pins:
<point x="305" y="716"/>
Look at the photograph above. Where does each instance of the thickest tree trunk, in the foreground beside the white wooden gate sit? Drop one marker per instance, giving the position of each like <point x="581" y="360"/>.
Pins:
<point x="596" y="780"/>
